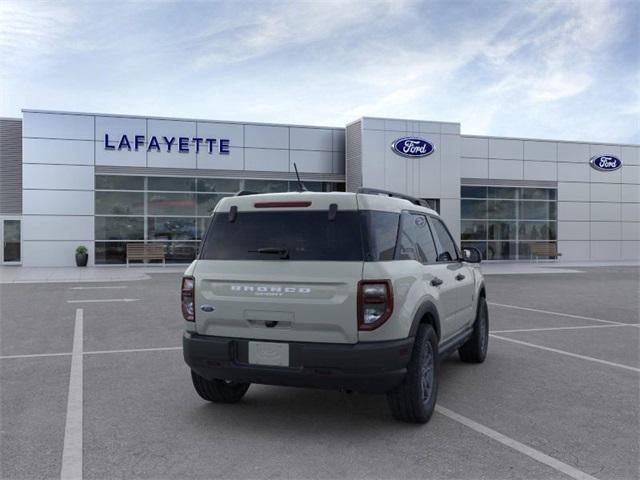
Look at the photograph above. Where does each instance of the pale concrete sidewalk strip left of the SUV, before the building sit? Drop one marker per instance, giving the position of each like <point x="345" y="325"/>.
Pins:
<point x="11" y="274"/>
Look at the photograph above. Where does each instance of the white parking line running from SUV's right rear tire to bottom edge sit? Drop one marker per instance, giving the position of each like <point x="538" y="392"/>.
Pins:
<point x="515" y="445"/>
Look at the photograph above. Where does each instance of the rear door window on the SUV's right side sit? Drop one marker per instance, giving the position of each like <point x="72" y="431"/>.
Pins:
<point x="415" y="241"/>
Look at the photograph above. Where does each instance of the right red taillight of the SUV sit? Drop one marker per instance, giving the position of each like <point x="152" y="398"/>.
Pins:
<point x="375" y="303"/>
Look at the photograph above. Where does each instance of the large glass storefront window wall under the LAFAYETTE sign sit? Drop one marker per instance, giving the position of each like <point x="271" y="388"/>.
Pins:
<point x="135" y="209"/>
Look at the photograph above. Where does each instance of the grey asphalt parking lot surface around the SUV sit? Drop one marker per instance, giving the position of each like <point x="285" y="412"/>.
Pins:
<point x="556" y="398"/>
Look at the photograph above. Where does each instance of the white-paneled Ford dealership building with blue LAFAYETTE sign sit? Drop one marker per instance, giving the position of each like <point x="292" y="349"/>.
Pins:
<point x="109" y="181"/>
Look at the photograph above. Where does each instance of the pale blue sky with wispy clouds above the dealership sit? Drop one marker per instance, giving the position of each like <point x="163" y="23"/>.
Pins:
<point x="547" y="69"/>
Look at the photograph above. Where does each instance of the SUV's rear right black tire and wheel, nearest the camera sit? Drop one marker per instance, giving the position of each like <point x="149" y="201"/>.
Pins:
<point x="415" y="398"/>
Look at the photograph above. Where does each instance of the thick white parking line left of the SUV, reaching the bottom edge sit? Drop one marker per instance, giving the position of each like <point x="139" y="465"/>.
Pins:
<point x="72" y="446"/>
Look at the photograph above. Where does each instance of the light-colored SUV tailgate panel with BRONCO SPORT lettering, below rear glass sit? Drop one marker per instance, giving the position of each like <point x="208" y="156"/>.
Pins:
<point x="311" y="301"/>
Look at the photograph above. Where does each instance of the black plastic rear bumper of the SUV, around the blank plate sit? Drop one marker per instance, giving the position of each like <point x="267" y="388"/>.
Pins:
<point x="374" y="367"/>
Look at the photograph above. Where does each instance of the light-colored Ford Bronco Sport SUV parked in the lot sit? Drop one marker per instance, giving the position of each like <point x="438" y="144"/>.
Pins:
<point x="352" y="291"/>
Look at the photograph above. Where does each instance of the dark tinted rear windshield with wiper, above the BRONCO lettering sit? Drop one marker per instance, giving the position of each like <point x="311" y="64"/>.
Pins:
<point x="305" y="235"/>
